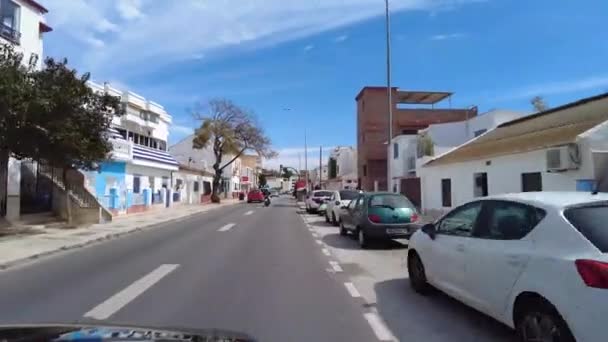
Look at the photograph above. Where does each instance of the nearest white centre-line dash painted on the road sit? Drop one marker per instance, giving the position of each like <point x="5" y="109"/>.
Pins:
<point x="122" y="298"/>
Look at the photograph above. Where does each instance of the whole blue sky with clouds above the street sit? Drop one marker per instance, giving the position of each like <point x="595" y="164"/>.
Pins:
<point x="314" y="56"/>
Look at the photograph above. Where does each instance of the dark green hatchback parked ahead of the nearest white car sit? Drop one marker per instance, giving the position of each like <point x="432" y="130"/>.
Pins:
<point x="379" y="216"/>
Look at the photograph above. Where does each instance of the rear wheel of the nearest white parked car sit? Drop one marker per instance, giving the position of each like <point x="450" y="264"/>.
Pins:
<point x="540" y="321"/>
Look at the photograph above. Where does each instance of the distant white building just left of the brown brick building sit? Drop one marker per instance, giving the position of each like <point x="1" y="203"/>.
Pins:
<point x="342" y="168"/>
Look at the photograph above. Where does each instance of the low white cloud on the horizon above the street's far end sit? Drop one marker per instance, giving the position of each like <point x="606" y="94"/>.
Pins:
<point x="295" y="157"/>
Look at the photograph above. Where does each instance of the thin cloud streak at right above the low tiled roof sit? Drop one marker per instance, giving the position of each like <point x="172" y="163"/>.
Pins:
<point x="558" y="87"/>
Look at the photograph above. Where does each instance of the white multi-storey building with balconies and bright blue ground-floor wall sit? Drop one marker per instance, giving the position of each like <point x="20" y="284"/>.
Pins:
<point x="140" y="169"/>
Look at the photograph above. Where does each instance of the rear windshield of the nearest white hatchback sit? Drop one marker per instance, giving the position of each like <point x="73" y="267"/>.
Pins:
<point x="591" y="222"/>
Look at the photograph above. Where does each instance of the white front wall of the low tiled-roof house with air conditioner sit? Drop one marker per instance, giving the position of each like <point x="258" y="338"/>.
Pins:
<point x="504" y="176"/>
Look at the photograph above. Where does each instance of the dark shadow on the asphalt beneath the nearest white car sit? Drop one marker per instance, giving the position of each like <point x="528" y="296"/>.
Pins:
<point x="433" y="318"/>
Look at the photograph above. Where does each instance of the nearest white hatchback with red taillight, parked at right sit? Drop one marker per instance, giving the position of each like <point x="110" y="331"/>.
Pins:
<point x="536" y="261"/>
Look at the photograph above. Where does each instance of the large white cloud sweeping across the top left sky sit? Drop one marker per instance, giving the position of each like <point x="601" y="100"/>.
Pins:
<point x="174" y="30"/>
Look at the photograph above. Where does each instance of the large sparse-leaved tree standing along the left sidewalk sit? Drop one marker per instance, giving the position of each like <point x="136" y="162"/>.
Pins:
<point x="230" y="131"/>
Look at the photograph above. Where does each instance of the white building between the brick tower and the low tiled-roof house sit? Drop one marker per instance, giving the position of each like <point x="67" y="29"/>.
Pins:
<point x="411" y="151"/>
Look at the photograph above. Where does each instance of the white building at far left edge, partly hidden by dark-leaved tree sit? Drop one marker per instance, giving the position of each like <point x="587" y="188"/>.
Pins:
<point x="22" y="24"/>
